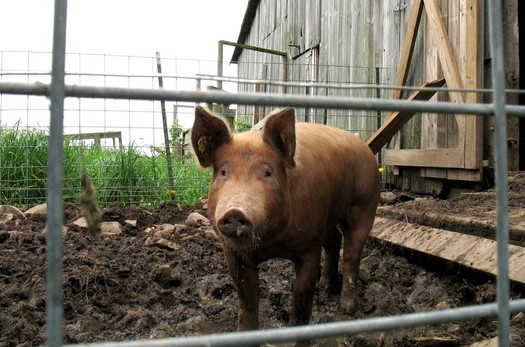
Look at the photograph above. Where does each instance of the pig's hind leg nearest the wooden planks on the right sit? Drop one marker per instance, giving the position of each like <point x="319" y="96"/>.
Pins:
<point x="356" y="227"/>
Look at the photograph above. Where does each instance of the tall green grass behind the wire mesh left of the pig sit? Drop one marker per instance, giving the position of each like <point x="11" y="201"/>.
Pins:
<point x="124" y="175"/>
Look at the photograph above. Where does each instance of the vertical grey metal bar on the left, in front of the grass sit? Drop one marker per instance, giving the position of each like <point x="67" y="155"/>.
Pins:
<point x="55" y="212"/>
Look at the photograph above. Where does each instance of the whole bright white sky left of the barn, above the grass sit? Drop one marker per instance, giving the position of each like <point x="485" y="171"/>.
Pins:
<point x="182" y="29"/>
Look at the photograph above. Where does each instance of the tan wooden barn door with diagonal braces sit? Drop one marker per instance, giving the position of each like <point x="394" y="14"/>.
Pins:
<point x="450" y="146"/>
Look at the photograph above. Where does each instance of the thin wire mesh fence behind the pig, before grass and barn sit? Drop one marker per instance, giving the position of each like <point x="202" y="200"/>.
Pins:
<point x="120" y="143"/>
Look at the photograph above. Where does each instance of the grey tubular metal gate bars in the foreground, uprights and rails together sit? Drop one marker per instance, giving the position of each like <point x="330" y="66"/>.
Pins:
<point x="57" y="90"/>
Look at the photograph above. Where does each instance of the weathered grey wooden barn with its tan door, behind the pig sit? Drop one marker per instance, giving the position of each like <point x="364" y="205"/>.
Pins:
<point x="358" y="48"/>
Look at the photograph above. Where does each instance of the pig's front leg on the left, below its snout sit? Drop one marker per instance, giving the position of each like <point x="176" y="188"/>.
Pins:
<point x="246" y="279"/>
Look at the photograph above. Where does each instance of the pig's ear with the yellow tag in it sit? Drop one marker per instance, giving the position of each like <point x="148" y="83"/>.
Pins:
<point x="208" y="133"/>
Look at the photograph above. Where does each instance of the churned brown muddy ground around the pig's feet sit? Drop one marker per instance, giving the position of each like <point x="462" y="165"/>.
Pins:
<point x="150" y="282"/>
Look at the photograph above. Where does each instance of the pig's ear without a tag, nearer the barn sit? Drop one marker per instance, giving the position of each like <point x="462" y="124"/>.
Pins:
<point x="279" y="132"/>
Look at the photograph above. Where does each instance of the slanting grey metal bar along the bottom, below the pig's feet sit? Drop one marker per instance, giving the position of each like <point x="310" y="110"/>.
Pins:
<point x="311" y="332"/>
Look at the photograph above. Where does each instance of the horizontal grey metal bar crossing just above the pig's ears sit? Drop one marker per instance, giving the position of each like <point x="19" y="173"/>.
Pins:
<point x="267" y="99"/>
